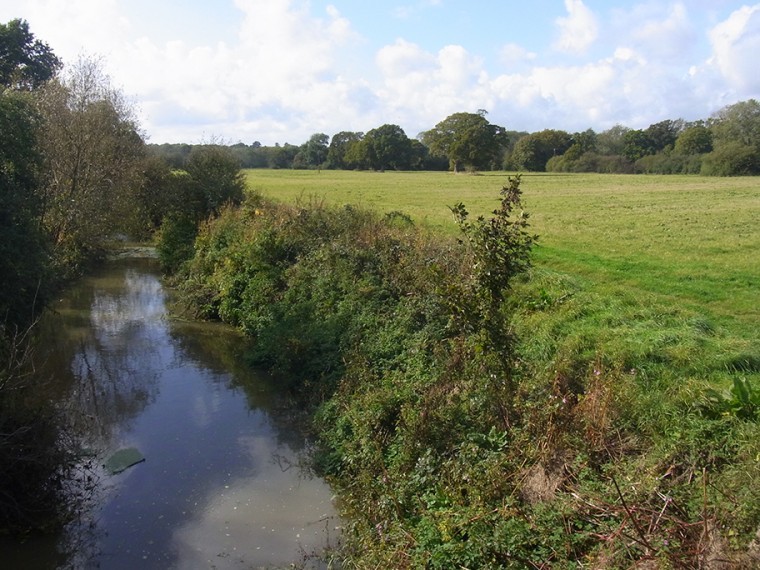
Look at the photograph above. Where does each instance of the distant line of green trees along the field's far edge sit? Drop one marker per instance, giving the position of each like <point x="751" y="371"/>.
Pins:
<point x="726" y="144"/>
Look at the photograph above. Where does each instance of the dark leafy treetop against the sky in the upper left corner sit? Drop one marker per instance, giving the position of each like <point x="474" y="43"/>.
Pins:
<point x="25" y="63"/>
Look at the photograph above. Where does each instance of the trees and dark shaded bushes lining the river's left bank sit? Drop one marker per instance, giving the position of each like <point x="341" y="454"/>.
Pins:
<point x="70" y="159"/>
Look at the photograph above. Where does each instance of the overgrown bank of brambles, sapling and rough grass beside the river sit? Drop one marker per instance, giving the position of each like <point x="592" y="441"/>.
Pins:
<point x="475" y="413"/>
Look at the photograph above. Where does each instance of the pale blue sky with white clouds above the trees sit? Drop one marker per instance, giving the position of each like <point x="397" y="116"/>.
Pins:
<point x="278" y="71"/>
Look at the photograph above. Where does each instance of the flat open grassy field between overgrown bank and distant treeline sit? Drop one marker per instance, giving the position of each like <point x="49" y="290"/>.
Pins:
<point x="687" y="240"/>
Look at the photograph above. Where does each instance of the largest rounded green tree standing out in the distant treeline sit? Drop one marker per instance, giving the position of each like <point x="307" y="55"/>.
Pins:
<point x="467" y="140"/>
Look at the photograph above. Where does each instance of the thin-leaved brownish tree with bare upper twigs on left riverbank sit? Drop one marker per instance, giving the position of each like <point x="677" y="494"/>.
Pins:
<point x="93" y="152"/>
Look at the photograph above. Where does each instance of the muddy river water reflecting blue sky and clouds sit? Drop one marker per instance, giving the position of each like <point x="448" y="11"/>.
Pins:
<point x="221" y="485"/>
